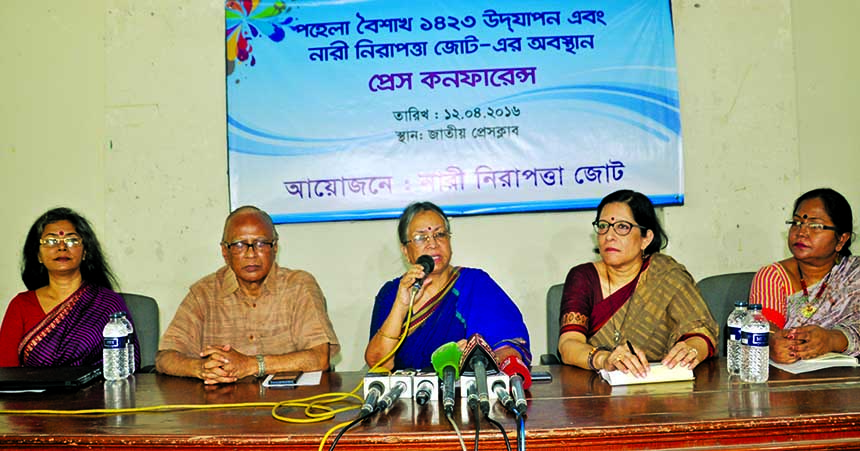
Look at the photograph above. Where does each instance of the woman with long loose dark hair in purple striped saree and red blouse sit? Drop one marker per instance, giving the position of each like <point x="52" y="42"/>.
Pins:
<point x="59" y="321"/>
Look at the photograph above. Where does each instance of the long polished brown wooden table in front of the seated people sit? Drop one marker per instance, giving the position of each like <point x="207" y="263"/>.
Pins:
<point x="818" y="410"/>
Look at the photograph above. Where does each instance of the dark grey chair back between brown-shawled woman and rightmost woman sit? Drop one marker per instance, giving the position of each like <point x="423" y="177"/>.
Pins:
<point x="720" y="293"/>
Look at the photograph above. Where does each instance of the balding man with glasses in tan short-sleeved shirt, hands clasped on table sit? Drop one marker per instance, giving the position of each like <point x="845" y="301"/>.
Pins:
<point x="251" y="317"/>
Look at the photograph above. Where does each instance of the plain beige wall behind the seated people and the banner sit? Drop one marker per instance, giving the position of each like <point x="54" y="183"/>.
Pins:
<point x="116" y="108"/>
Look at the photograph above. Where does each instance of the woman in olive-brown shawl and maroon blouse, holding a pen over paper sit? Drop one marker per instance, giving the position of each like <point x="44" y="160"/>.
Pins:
<point x="633" y="298"/>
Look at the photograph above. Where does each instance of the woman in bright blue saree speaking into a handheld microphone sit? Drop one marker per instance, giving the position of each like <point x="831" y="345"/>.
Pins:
<point x="450" y="302"/>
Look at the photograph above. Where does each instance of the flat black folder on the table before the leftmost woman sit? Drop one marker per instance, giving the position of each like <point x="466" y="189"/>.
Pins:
<point x="48" y="378"/>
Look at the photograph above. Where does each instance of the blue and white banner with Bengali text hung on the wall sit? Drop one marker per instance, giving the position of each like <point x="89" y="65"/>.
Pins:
<point x="341" y="110"/>
